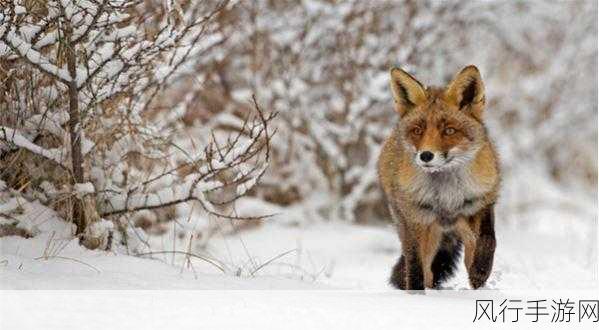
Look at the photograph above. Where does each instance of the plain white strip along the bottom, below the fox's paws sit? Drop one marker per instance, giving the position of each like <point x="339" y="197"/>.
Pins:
<point x="250" y="310"/>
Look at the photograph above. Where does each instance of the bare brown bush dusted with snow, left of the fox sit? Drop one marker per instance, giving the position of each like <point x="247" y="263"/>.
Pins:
<point x="79" y="124"/>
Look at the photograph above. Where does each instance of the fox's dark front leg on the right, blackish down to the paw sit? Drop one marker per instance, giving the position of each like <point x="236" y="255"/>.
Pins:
<point x="484" y="248"/>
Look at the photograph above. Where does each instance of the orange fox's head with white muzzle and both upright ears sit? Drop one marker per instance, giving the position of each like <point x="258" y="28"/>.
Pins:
<point x="441" y="128"/>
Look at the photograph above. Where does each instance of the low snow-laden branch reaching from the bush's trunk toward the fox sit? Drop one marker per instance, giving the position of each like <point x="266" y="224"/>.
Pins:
<point x="248" y="157"/>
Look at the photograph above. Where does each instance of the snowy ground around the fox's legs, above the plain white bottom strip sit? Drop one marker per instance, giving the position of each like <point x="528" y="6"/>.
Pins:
<point x="335" y="255"/>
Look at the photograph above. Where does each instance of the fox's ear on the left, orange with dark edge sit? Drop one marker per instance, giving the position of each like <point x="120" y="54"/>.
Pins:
<point x="407" y="91"/>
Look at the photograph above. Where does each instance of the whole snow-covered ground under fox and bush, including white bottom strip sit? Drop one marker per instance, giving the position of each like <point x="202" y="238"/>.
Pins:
<point x="540" y="254"/>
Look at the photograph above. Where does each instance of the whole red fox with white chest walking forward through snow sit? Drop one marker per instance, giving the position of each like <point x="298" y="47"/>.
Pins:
<point x="439" y="172"/>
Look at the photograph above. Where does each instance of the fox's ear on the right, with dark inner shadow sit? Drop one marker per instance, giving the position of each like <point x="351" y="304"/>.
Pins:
<point x="467" y="90"/>
